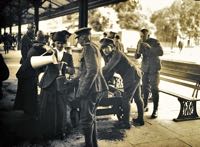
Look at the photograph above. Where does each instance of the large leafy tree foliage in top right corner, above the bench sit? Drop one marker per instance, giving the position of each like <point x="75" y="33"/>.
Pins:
<point x="178" y="20"/>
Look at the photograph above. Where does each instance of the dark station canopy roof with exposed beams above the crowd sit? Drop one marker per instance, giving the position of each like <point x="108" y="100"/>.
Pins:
<point x="11" y="11"/>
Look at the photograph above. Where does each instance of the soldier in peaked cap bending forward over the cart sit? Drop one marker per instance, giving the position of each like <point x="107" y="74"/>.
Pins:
<point x="131" y="75"/>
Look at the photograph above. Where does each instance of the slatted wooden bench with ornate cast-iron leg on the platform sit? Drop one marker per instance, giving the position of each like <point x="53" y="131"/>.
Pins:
<point x="185" y="74"/>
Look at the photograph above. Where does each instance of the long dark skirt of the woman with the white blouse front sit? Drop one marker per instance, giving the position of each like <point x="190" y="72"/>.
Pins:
<point x="52" y="112"/>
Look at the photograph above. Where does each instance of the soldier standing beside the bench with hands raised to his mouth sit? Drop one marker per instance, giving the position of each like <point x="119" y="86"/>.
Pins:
<point x="150" y="49"/>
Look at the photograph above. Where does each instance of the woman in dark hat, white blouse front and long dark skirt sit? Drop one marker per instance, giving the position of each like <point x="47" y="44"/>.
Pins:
<point x="53" y="108"/>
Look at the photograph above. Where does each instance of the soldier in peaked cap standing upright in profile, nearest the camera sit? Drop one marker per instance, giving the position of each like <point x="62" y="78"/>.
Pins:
<point x="91" y="86"/>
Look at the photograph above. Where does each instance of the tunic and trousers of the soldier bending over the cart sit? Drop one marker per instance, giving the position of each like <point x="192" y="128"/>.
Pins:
<point x="131" y="76"/>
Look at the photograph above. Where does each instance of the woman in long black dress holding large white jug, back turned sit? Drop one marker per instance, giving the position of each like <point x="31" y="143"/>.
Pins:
<point x="27" y="94"/>
